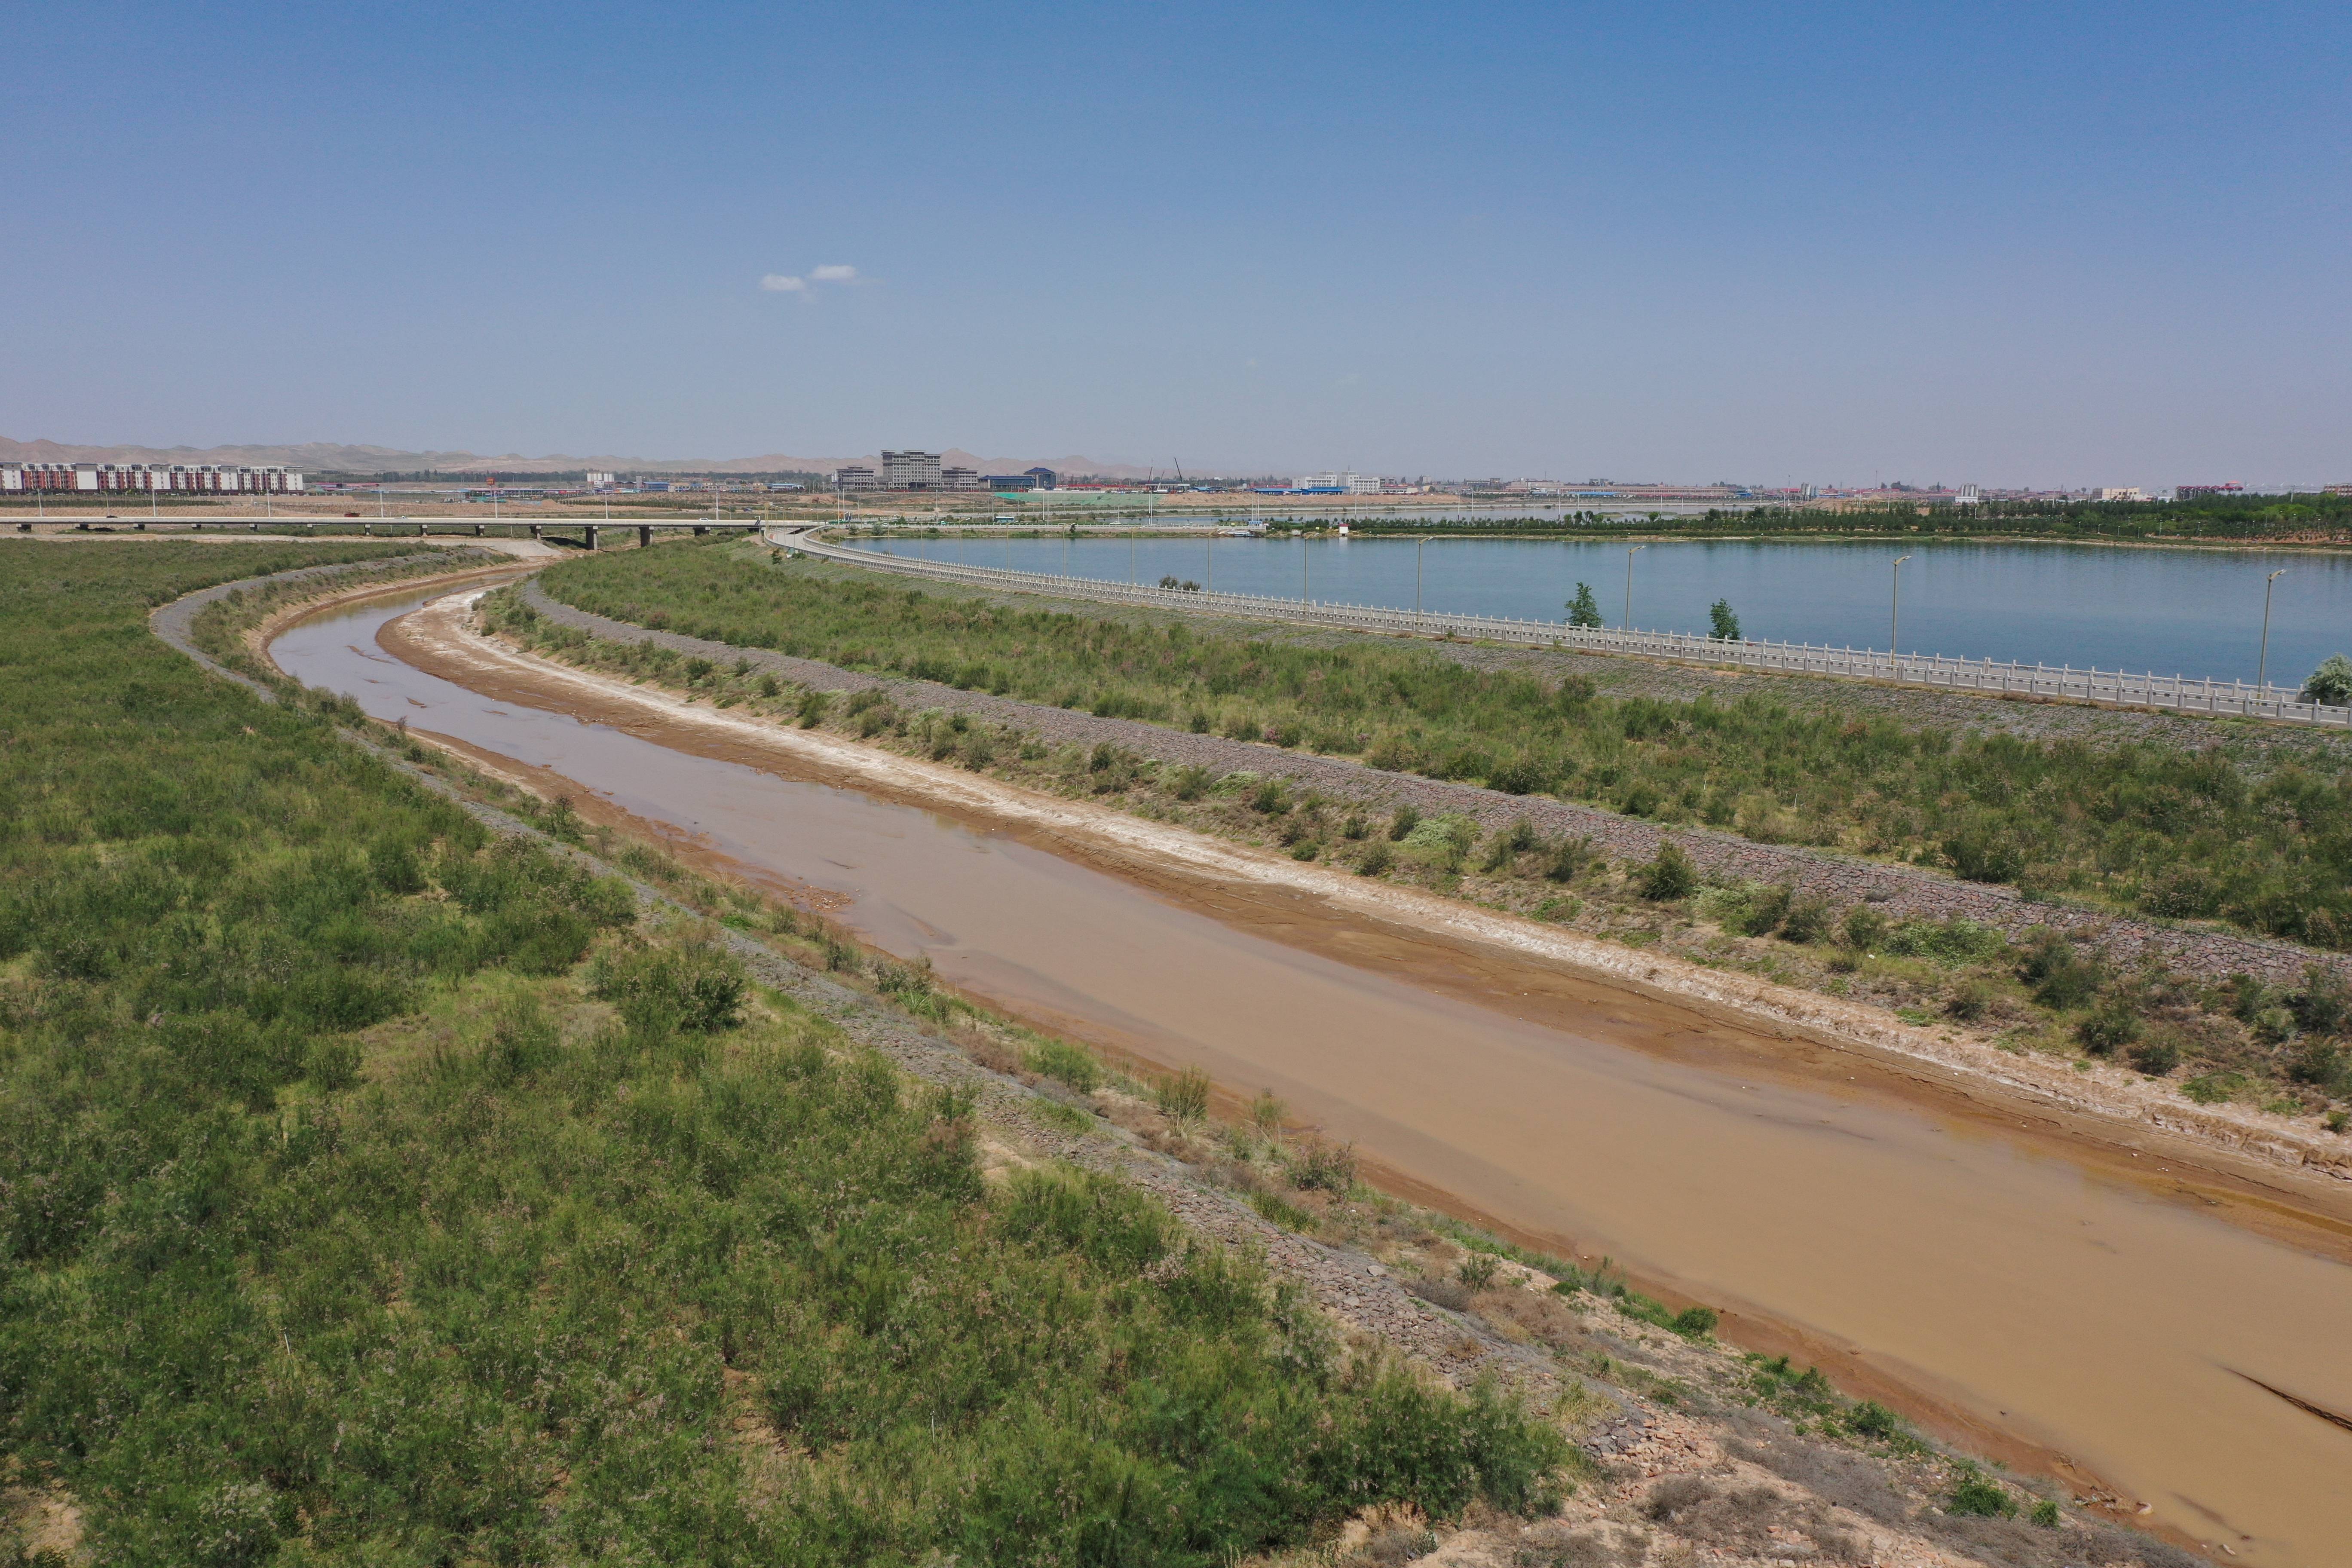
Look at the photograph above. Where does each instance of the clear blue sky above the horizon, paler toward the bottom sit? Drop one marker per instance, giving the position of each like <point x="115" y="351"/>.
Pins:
<point x="2000" y="243"/>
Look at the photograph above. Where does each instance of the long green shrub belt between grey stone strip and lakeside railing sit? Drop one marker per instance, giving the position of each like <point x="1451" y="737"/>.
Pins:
<point x="2149" y="829"/>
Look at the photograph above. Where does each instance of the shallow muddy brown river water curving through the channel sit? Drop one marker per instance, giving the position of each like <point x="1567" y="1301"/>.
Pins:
<point x="2099" y="1311"/>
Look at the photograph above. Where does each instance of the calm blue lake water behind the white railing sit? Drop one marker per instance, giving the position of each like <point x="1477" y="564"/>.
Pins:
<point x="2174" y="612"/>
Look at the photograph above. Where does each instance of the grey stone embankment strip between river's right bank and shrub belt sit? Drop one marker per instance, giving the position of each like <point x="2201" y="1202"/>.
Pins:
<point x="1902" y="892"/>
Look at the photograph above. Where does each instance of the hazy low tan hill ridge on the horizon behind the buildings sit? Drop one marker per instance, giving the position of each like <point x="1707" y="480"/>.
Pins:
<point x="333" y="457"/>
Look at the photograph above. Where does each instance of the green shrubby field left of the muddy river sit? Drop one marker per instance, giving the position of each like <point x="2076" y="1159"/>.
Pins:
<point x="377" y="1191"/>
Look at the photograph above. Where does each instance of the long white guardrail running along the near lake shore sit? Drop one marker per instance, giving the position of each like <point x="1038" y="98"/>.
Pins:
<point x="1991" y="676"/>
